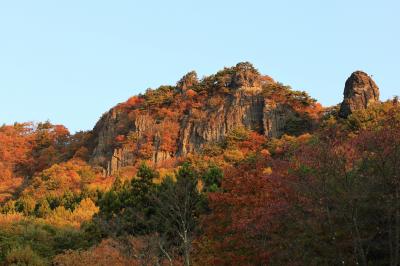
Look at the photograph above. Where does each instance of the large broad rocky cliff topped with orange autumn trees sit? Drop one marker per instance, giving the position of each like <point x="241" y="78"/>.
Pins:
<point x="173" y="121"/>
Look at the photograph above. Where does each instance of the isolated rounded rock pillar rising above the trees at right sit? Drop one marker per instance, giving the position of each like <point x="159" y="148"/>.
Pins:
<point x="360" y="91"/>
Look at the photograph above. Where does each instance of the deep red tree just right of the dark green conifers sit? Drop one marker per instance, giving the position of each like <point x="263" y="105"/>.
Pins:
<point x="244" y="215"/>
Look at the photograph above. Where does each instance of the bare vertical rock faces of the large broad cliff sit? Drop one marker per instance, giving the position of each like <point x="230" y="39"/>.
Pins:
<point x="246" y="107"/>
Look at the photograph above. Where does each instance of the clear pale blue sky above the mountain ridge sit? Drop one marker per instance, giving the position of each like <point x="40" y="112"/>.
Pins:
<point x="71" y="60"/>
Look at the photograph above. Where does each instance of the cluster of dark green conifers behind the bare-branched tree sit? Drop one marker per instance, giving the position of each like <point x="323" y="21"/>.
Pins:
<point x="141" y="207"/>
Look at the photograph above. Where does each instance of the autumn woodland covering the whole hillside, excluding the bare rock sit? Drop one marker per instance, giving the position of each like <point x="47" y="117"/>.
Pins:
<point x="326" y="192"/>
